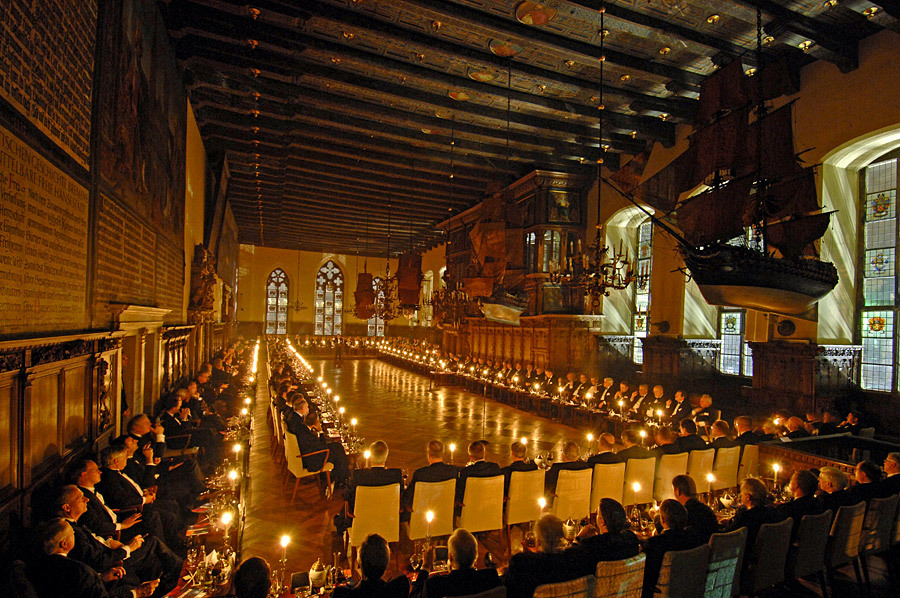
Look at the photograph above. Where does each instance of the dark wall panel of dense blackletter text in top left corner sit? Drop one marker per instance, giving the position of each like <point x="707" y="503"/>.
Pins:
<point x="47" y="66"/>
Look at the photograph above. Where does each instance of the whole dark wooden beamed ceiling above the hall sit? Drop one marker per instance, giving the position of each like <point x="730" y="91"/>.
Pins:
<point x="360" y="124"/>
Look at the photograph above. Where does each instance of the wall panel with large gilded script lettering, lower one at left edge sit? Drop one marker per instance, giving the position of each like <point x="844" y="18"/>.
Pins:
<point x="43" y="243"/>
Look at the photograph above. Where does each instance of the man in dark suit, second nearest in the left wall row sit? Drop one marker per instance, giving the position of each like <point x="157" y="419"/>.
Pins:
<point x="142" y="560"/>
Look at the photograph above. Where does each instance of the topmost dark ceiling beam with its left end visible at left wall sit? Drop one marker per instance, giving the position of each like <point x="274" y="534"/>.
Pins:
<point x="239" y="31"/>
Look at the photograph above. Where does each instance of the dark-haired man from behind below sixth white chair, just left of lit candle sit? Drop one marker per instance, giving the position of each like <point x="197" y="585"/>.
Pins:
<point x="614" y="542"/>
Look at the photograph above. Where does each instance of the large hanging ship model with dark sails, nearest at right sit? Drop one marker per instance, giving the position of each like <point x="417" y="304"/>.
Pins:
<point x="754" y="182"/>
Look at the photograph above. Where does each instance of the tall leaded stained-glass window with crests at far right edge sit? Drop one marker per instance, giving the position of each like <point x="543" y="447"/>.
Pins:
<point x="878" y="300"/>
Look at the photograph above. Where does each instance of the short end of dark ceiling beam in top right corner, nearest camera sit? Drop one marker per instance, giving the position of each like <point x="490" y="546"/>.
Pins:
<point x="837" y="45"/>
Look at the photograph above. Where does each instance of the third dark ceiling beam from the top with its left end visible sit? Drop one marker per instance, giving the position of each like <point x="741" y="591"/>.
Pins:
<point x="327" y="104"/>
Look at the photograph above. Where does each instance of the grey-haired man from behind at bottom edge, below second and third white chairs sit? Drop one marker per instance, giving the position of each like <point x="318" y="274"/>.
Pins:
<point x="464" y="579"/>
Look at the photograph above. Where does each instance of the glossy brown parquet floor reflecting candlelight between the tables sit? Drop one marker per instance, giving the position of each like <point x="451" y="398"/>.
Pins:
<point x="398" y="406"/>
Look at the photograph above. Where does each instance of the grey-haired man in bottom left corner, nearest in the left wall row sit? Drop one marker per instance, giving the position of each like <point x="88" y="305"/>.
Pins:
<point x="53" y="573"/>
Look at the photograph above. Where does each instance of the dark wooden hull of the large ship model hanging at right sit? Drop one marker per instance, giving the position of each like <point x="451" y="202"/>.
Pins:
<point x="737" y="276"/>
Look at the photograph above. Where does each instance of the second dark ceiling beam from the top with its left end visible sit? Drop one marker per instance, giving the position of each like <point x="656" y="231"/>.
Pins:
<point x="653" y="128"/>
